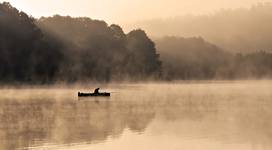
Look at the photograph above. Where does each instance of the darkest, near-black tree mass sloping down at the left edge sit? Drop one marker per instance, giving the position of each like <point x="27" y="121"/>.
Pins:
<point x="25" y="53"/>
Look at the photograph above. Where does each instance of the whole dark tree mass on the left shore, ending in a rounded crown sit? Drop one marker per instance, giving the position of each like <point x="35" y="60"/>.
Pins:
<point x="71" y="49"/>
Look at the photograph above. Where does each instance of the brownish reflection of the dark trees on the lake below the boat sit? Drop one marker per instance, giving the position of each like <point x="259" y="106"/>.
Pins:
<point x="23" y="122"/>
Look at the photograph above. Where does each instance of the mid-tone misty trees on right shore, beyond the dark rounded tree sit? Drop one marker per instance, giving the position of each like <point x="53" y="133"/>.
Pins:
<point x="194" y="58"/>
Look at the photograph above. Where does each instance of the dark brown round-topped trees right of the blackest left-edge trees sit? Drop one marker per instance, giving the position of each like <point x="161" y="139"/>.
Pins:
<point x="103" y="52"/>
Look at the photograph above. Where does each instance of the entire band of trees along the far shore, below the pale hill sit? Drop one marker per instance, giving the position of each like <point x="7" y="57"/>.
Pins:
<point x="69" y="49"/>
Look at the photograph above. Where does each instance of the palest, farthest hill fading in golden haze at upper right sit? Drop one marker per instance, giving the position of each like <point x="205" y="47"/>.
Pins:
<point x="235" y="30"/>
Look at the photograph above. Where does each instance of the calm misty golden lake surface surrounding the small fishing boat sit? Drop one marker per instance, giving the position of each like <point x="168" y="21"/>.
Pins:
<point x="188" y="116"/>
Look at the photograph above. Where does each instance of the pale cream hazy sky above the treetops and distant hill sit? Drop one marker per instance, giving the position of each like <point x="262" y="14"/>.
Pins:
<point x="120" y="11"/>
